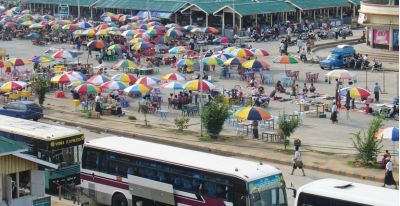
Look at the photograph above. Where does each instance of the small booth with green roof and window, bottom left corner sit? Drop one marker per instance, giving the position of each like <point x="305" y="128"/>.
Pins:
<point x="21" y="180"/>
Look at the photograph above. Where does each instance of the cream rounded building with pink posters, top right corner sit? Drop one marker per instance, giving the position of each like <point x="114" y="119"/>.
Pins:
<point x="381" y="18"/>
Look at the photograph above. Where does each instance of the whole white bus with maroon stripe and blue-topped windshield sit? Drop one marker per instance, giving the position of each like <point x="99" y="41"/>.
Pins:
<point x="121" y="171"/>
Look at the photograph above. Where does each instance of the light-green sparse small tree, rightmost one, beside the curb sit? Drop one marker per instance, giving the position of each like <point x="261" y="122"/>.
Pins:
<point x="367" y="146"/>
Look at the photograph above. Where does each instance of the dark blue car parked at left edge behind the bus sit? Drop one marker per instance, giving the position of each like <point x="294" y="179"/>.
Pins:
<point x="22" y="109"/>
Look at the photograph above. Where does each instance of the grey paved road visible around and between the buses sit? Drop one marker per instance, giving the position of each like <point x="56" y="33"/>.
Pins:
<point x="297" y="179"/>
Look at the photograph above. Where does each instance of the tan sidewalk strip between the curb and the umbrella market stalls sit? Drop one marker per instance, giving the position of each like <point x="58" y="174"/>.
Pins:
<point x="229" y="144"/>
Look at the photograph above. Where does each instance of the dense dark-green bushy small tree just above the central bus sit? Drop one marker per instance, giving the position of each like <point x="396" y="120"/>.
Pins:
<point x="213" y="117"/>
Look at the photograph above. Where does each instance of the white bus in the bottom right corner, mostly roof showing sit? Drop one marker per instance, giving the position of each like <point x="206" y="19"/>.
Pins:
<point x="333" y="192"/>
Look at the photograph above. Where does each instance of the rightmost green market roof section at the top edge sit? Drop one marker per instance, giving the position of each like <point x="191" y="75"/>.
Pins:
<point x="318" y="4"/>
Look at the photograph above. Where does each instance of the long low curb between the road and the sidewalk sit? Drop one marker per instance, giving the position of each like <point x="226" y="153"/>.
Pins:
<point x="215" y="150"/>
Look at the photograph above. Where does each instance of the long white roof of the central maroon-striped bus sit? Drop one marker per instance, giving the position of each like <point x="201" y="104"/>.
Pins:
<point x="243" y="169"/>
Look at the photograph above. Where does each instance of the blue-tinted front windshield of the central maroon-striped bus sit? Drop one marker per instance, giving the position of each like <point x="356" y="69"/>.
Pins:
<point x="268" y="191"/>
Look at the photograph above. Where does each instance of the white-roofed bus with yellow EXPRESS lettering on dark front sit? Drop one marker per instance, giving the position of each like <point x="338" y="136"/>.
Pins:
<point x="58" y="146"/>
